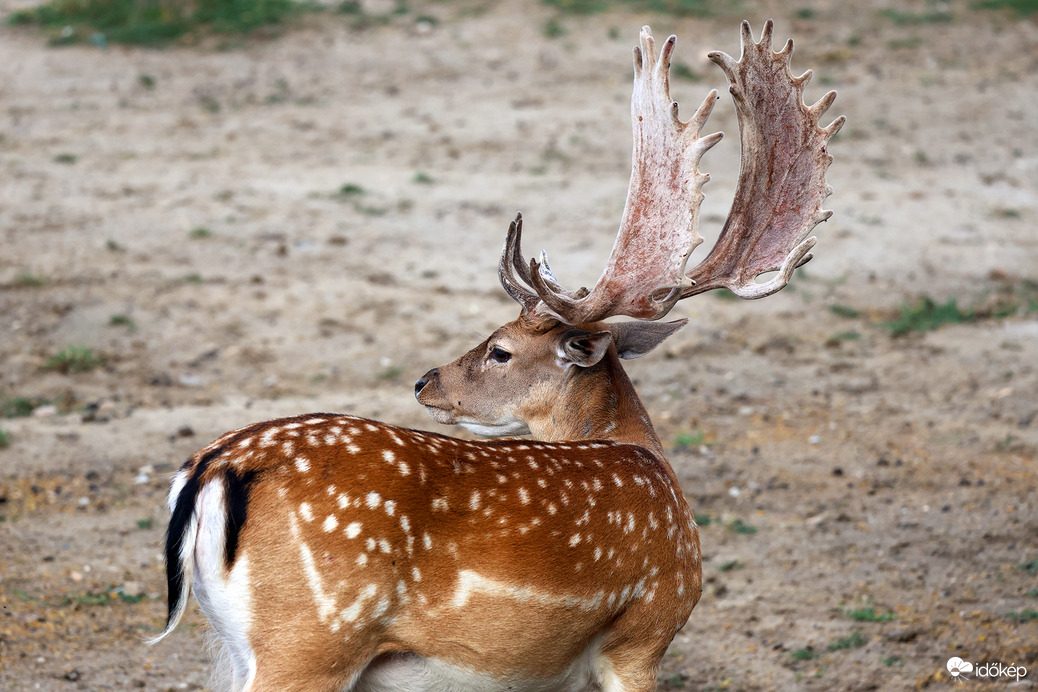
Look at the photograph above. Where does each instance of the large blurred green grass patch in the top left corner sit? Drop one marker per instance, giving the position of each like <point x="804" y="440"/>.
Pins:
<point x="151" y="22"/>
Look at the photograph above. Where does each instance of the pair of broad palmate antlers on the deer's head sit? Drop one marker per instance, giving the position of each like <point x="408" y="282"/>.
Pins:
<point x="782" y="185"/>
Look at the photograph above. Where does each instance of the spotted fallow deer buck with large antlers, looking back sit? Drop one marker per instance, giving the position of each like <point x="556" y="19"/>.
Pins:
<point x="336" y="553"/>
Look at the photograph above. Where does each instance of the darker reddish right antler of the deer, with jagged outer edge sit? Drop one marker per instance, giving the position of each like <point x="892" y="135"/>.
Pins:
<point x="782" y="180"/>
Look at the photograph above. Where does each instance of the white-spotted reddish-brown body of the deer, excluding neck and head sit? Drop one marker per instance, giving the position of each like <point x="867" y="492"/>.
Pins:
<point x="377" y="541"/>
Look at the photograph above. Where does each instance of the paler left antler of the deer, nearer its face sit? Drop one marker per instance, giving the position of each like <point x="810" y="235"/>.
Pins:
<point x="645" y="275"/>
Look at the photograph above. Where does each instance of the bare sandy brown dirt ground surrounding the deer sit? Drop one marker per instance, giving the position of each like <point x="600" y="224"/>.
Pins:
<point x="310" y="223"/>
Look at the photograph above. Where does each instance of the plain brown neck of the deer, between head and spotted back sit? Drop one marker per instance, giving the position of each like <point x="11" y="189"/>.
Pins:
<point x="598" y="404"/>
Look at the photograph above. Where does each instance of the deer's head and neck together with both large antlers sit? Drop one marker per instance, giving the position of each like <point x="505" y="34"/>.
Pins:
<point x="555" y="371"/>
